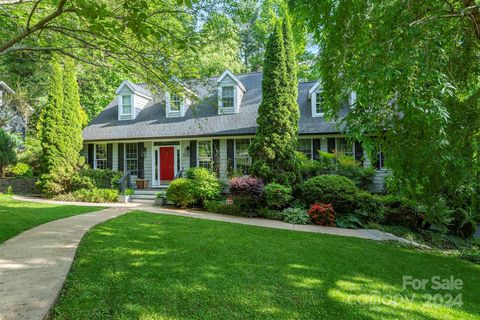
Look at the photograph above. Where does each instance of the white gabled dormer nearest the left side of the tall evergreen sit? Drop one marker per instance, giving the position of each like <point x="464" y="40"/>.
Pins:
<point x="230" y="93"/>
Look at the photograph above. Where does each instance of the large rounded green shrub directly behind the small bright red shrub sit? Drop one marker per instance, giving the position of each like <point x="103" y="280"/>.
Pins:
<point x="339" y="191"/>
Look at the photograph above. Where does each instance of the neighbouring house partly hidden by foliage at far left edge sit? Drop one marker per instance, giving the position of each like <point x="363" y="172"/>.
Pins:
<point x="11" y="118"/>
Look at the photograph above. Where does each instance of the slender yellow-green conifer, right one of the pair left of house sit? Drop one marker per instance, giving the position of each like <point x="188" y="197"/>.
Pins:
<point x="72" y="118"/>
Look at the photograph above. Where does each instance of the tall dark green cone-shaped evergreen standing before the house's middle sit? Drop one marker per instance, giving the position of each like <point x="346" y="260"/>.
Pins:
<point x="273" y="148"/>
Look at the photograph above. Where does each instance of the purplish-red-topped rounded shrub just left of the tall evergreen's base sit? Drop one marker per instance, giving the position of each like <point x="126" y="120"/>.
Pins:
<point x="247" y="192"/>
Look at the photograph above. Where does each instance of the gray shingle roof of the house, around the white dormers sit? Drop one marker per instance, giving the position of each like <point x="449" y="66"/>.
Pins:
<point x="203" y="119"/>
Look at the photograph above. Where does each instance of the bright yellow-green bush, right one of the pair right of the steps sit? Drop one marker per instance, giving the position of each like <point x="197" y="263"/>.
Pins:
<point x="205" y="184"/>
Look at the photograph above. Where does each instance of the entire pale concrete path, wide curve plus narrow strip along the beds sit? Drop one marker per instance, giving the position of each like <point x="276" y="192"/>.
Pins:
<point x="35" y="264"/>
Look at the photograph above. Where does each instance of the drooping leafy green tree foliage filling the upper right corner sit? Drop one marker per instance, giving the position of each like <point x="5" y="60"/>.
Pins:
<point x="414" y="67"/>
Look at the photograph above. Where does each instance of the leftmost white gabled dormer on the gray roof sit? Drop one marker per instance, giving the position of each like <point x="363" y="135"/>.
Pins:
<point x="131" y="99"/>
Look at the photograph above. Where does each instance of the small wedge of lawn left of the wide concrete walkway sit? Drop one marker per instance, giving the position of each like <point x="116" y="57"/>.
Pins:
<point x="18" y="216"/>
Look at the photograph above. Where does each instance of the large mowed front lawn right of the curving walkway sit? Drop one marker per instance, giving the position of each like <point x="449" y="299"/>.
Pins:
<point x="147" y="266"/>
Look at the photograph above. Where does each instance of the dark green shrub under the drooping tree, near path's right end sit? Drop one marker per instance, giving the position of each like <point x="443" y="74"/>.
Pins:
<point x="401" y="211"/>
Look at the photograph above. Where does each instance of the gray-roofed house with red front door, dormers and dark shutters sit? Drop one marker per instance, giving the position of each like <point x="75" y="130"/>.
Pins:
<point x="210" y="124"/>
